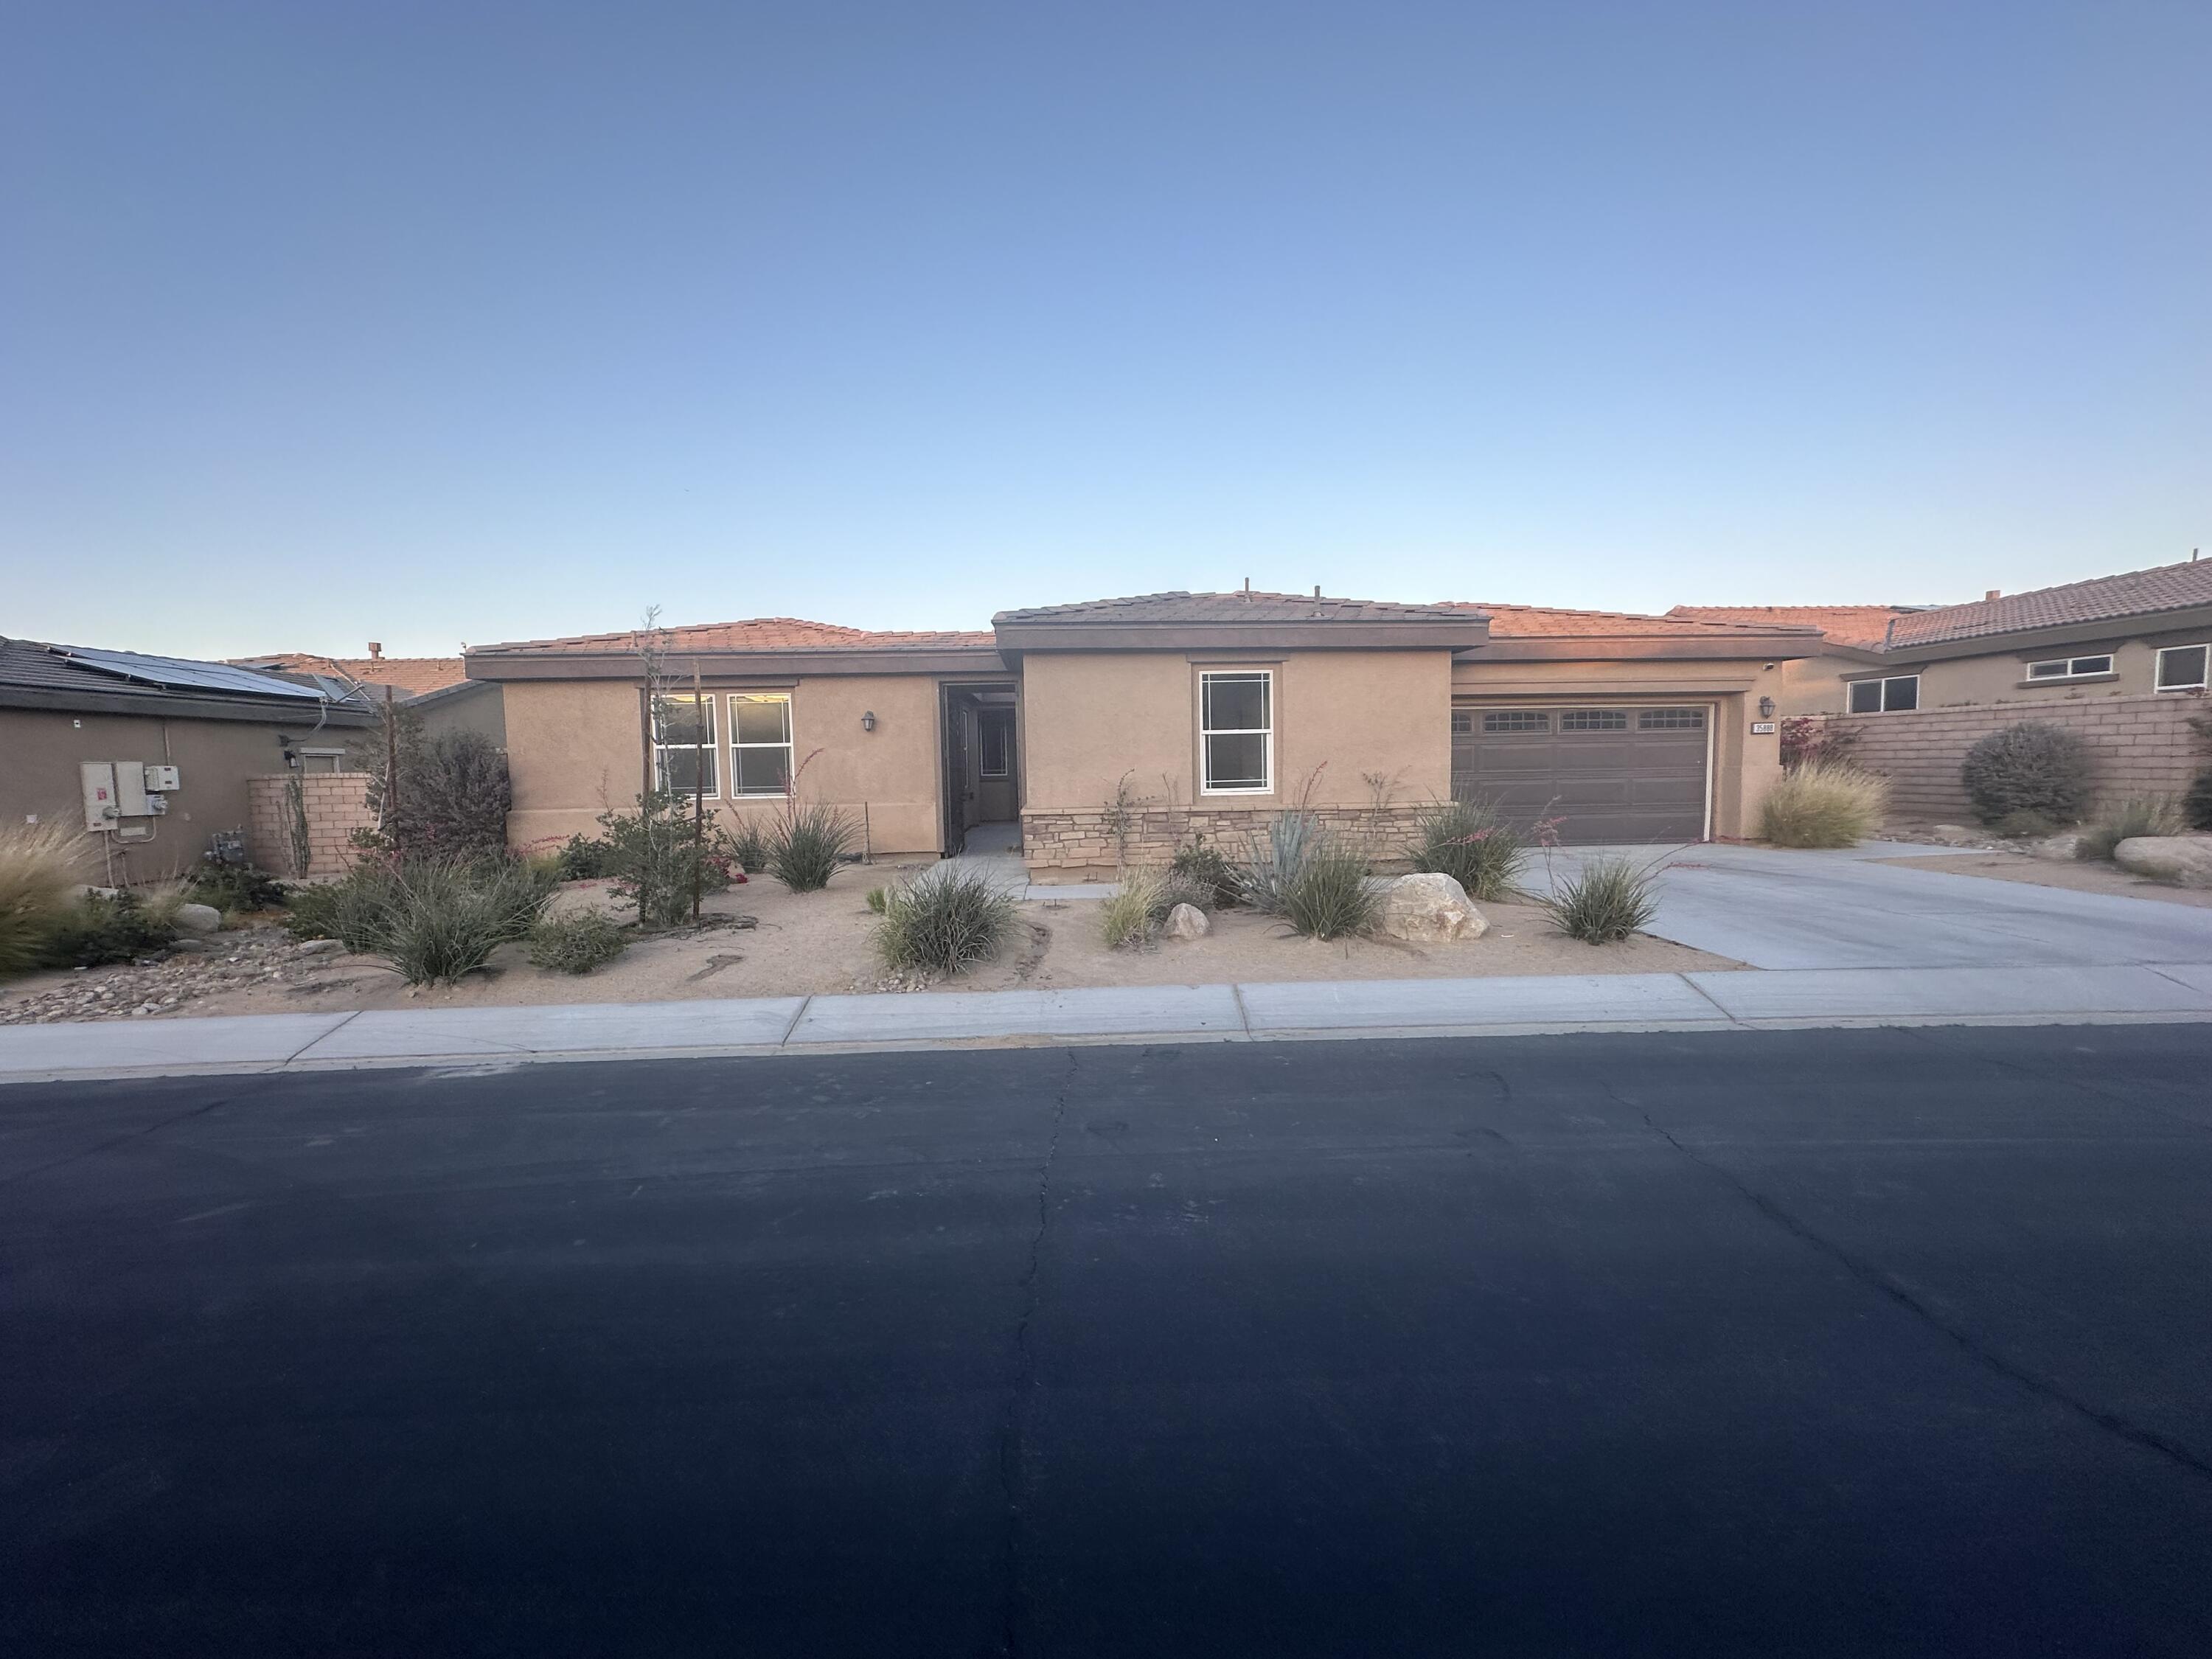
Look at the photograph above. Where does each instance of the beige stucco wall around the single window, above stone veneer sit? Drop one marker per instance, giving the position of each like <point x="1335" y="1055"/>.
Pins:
<point x="1089" y="720"/>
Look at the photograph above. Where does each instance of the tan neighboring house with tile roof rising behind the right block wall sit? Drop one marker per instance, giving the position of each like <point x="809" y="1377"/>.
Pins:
<point x="2118" y="636"/>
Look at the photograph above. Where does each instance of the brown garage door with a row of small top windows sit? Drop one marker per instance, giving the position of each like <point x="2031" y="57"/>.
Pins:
<point x="1607" y="773"/>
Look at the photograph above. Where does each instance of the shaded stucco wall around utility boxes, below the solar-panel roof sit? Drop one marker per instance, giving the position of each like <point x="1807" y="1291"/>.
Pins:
<point x="39" y="778"/>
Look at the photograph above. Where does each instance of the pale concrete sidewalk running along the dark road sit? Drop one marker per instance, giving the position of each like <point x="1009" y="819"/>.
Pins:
<point x="1112" y="1014"/>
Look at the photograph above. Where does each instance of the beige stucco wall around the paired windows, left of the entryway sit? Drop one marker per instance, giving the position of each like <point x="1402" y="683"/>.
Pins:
<point x="576" y="749"/>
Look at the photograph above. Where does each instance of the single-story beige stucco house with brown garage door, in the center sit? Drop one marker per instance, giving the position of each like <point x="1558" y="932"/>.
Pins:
<point x="1120" y="729"/>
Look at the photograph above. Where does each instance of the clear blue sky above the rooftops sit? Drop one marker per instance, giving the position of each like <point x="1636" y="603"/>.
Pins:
<point x="486" y="322"/>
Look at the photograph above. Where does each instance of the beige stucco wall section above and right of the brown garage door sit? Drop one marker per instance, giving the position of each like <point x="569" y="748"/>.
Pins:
<point x="1744" y="764"/>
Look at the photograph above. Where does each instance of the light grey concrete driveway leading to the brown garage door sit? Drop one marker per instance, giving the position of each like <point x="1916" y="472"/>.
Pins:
<point x="1848" y="910"/>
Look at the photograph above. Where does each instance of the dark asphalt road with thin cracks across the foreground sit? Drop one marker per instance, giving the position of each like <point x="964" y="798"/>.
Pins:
<point x="1742" y="1344"/>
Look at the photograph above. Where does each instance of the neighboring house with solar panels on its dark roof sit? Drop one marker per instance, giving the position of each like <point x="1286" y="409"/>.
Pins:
<point x="152" y="755"/>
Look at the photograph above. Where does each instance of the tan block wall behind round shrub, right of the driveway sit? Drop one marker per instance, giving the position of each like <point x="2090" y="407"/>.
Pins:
<point x="2138" y="747"/>
